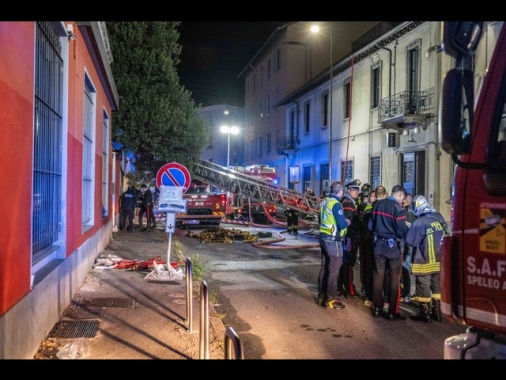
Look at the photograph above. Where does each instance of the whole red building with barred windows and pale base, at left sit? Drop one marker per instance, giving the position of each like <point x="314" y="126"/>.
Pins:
<point x="63" y="177"/>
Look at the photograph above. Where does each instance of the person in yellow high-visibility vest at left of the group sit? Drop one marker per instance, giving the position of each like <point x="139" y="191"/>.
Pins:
<point x="333" y="226"/>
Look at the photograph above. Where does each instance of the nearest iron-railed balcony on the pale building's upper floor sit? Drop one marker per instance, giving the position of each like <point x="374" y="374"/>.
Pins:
<point x="407" y="109"/>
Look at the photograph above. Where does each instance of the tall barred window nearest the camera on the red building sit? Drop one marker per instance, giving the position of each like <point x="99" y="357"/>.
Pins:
<point x="47" y="141"/>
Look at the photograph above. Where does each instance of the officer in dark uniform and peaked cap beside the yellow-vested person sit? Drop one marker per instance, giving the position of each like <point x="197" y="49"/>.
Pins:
<point x="349" y="202"/>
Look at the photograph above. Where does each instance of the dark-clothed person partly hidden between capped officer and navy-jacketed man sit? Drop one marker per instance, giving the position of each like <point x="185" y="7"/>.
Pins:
<point x="367" y="248"/>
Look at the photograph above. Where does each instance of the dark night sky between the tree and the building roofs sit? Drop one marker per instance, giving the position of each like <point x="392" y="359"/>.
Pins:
<point x="214" y="53"/>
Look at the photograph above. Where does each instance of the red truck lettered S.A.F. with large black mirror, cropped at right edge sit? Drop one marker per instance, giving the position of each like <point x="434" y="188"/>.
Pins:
<point x="473" y="131"/>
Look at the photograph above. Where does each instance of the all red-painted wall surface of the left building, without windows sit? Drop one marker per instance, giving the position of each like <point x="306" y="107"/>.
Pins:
<point x="17" y="51"/>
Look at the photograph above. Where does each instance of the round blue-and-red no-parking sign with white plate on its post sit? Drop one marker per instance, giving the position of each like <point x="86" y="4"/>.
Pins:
<point x="173" y="180"/>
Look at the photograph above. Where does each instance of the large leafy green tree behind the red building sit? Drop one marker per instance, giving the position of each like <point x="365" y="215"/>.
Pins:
<point x="156" y="119"/>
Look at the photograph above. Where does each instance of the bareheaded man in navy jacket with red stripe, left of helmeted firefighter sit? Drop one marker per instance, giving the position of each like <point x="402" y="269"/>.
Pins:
<point x="388" y="223"/>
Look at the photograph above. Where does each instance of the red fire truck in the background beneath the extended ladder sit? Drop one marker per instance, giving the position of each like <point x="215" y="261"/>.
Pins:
<point x="207" y="204"/>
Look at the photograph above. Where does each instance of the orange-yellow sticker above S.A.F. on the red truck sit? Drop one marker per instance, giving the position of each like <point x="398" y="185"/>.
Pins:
<point x="492" y="228"/>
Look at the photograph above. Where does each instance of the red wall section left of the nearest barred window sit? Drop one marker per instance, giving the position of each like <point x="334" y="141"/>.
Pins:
<point x="16" y="124"/>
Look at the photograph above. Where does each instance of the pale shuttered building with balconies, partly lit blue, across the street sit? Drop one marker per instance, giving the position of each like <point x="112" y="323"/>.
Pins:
<point x="378" y="106"/>
